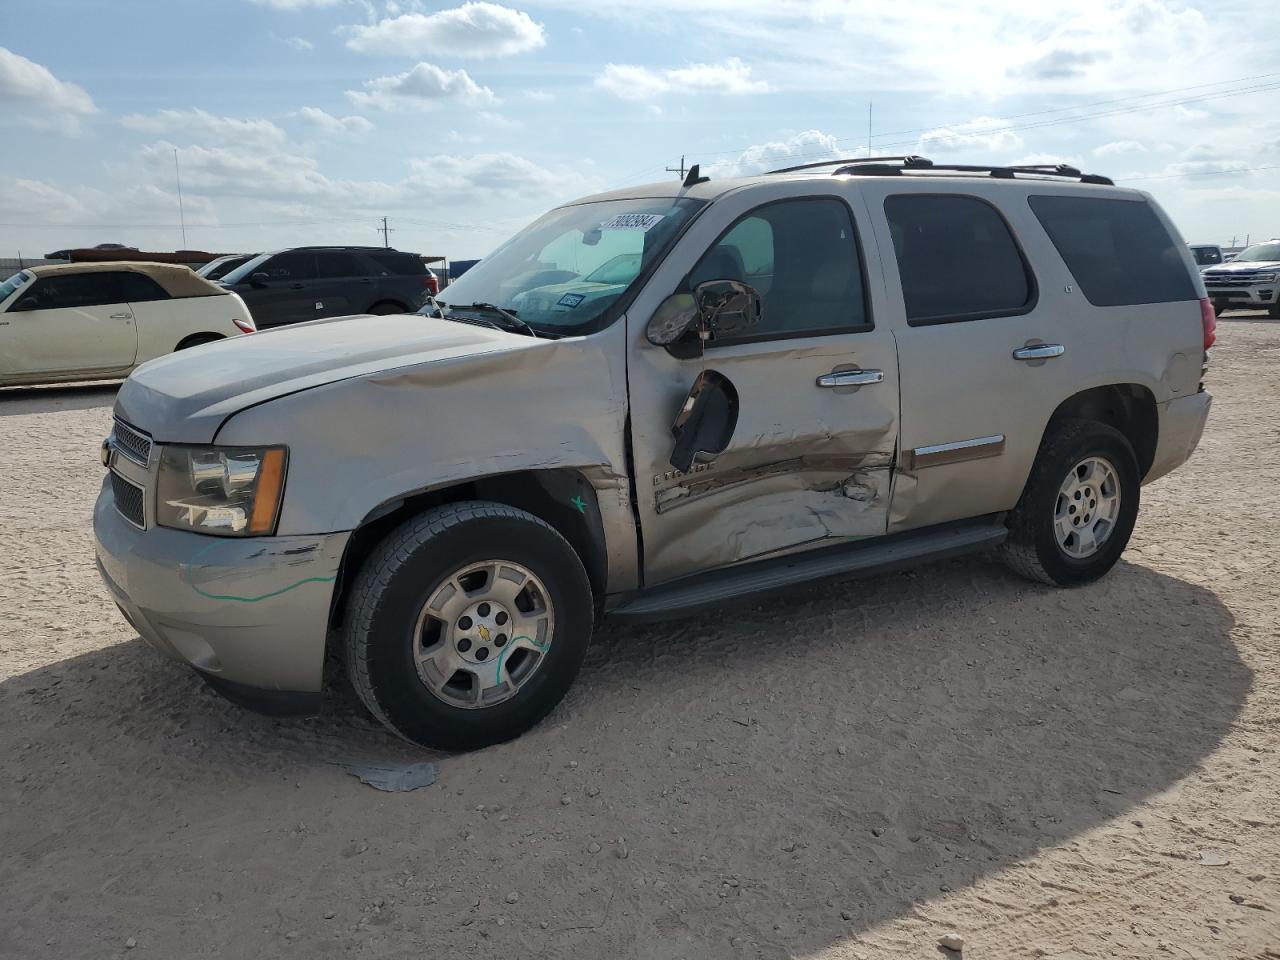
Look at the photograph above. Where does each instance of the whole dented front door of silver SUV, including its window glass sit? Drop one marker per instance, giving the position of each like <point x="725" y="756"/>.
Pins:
<point x="811" y="392"/>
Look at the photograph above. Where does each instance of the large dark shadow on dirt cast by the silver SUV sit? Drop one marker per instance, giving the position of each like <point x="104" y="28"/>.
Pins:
<point x="789" y="772"/>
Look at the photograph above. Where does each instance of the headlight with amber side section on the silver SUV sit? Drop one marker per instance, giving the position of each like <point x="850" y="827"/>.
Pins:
<point x="221" y="491"/>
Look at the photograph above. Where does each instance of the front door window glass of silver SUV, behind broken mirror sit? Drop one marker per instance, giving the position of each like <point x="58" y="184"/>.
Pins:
<point x="802" y="258"/>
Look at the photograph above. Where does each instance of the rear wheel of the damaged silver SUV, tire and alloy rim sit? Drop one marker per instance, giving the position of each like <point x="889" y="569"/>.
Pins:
<point x="1078" y="509"/>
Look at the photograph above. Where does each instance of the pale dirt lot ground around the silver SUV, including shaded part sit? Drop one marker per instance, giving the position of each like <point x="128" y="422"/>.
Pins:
<point x="848" y="772"/>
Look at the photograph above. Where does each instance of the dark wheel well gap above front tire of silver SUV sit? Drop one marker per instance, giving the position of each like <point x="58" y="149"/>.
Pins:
<point x="561" y="497"/>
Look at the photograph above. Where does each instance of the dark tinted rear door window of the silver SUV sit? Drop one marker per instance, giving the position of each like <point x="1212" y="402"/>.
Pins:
<point x="958" y="259"/>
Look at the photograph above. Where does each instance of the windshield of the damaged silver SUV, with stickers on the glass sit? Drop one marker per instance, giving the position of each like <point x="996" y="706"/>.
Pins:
<point x="563" y="273"/>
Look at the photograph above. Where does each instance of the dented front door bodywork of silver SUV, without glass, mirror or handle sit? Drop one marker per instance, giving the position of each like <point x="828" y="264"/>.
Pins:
<point x="807" y="467"/>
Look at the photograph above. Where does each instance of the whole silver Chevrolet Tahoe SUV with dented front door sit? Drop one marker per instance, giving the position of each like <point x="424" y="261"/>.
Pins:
<point x="650" y="403"/>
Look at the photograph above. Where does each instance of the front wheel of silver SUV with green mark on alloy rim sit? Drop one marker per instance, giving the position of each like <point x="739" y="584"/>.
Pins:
<point x="468" y="625"/>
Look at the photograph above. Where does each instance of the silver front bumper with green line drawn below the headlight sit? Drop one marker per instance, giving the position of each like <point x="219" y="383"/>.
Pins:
<point x="250" y="615"/>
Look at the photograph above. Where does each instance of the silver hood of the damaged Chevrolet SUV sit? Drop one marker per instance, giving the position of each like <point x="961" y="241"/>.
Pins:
<point x="186" y="397"/>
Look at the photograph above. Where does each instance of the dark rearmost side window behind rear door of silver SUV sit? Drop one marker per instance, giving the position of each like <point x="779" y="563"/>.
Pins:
<point x="1118" y="250"/>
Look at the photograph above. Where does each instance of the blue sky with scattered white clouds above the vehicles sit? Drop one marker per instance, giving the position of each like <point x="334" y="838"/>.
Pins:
<point x="307" y="121"/>
